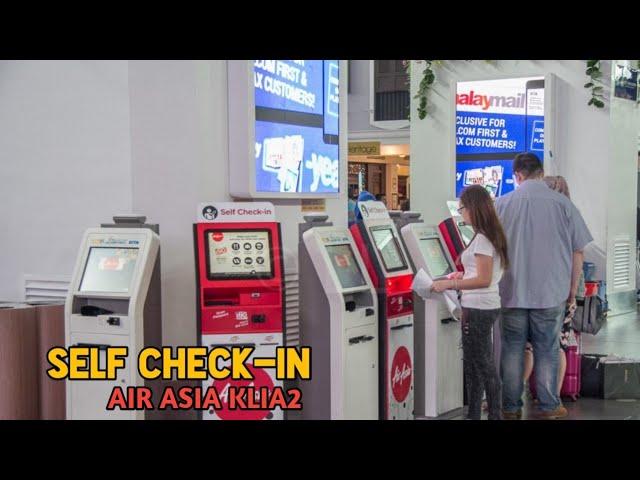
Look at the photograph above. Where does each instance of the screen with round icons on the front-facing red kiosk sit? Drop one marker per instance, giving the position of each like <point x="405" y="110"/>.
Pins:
<point x="238" y="254"/>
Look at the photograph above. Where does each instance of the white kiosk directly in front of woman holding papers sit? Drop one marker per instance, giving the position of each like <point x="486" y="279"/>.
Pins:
<point x="438" y="357"/>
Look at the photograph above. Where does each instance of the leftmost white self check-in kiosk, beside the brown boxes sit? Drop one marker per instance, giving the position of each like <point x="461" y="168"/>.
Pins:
<point x="114" y="300"/>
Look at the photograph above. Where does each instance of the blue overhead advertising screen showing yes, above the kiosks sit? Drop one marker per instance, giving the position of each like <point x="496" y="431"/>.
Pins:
<point x="297" y="126"/>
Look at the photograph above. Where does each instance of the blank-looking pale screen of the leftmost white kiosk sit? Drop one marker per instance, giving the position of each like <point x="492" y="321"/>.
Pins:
<point x="109" y="270"/>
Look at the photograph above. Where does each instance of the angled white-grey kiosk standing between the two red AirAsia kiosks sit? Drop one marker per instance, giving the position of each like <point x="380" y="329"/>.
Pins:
<point x="338" y="321"/>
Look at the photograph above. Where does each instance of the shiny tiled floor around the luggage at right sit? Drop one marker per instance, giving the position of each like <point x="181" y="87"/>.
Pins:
<point x="619" y="336"/>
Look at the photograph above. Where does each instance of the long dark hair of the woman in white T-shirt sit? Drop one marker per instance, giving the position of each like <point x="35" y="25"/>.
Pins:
<point x="484" y="219"/>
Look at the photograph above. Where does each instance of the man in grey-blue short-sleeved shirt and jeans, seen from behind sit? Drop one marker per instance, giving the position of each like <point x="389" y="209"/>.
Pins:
<point x="545" y="236"/>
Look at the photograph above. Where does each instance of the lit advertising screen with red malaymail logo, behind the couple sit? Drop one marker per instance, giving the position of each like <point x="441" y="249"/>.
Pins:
<point x="495" y="120"/>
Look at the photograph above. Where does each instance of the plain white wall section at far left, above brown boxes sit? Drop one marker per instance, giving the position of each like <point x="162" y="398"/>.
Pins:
<point x="64" y="161"/>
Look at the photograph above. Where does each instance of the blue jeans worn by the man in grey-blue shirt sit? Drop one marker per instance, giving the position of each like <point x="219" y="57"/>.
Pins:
<point x="542" y="326"/>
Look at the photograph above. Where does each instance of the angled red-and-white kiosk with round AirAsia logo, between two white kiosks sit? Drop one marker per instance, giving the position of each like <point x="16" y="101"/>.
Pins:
<point x="386" y="260"/>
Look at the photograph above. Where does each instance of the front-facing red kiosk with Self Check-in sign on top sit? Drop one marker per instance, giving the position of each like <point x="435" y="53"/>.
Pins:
<point x="240" y="289"/>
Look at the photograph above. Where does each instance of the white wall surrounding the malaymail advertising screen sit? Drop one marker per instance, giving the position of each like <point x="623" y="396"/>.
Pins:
<point x="582" y="136"/>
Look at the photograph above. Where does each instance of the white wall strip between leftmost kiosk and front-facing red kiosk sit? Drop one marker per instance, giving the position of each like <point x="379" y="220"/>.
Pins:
<point x="178" y="141"/>
